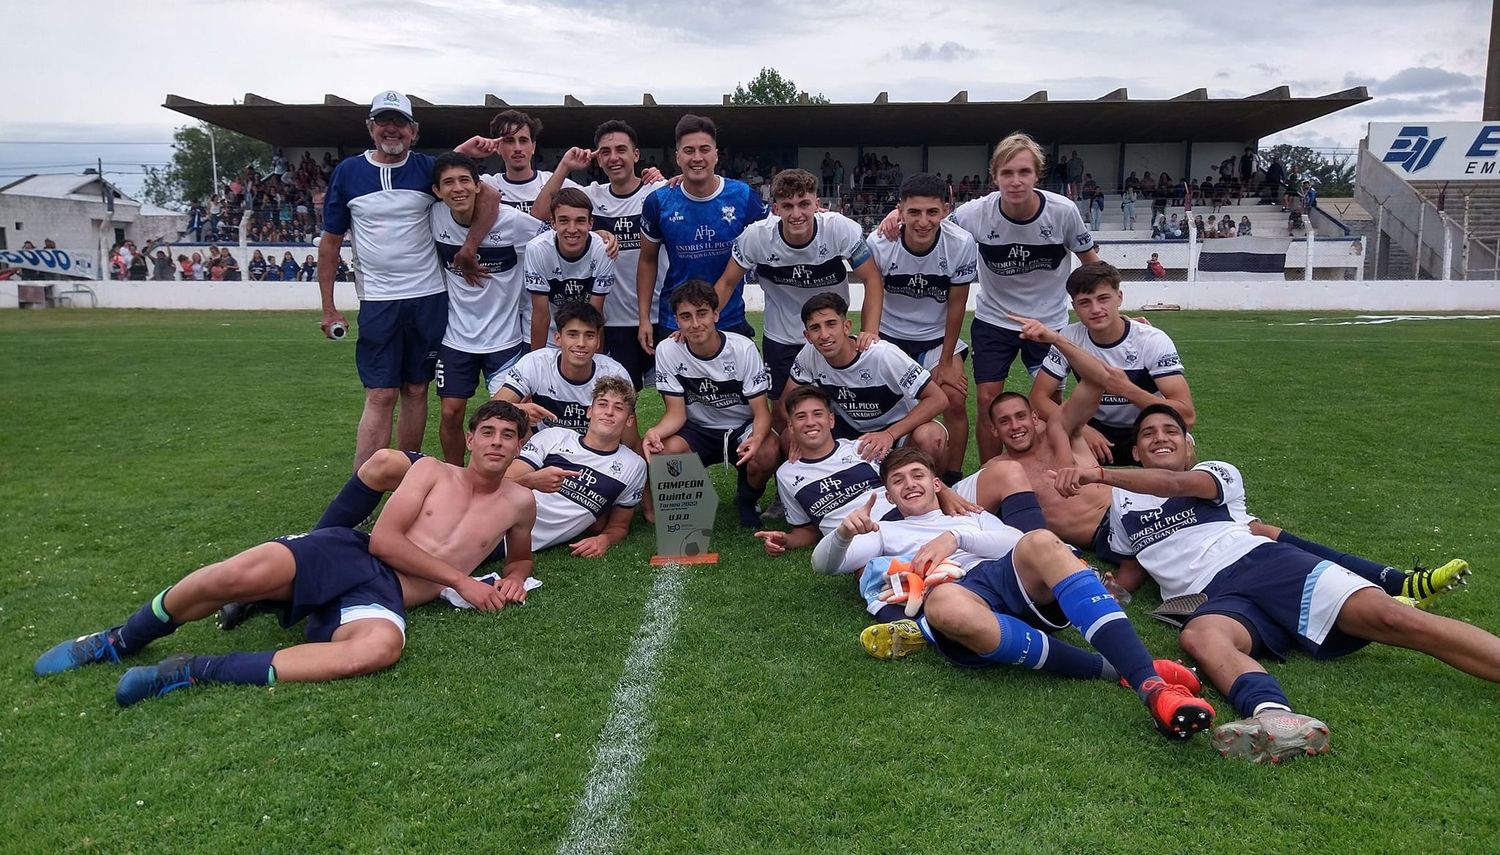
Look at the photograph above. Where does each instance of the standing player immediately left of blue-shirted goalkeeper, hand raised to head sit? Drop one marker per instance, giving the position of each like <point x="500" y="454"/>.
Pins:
<point x="617" y="209"/>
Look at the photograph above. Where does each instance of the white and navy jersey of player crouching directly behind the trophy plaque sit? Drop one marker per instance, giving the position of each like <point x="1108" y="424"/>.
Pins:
<point x="718" y="389"/>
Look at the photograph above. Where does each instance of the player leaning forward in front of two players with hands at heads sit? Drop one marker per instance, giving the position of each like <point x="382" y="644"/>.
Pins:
<point x="568" y="266"/>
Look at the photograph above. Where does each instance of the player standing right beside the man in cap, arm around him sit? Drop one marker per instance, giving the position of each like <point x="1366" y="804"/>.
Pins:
<point x="484" y="328"/>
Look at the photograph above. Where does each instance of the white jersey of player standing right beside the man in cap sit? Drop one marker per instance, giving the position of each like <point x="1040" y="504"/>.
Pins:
<point x="485" y="319"/>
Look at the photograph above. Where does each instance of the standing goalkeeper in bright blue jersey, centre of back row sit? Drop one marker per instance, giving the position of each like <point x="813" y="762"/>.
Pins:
<point x="697" y="223"/>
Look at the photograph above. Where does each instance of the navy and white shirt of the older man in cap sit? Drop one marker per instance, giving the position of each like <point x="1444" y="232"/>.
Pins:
<point x="385" y="209"/>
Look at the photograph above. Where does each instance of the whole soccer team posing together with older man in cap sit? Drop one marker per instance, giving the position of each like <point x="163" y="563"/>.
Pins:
<point x="563" y="299"/>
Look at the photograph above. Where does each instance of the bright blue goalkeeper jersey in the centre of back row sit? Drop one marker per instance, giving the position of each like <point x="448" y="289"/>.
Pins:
<point x="698" y="236"/>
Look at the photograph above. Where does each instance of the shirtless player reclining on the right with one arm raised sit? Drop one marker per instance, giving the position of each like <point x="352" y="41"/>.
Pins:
<point x="1082" y="520"/>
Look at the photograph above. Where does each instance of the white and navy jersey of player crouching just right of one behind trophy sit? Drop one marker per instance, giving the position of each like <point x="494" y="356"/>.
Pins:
<point x="874" y="392"/>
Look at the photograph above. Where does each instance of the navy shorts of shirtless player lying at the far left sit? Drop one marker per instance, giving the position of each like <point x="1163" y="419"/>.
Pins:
<point x="338" y="581"/>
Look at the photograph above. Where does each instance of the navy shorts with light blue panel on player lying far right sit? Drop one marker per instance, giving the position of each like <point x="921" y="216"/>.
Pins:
<point x="1286" y="598"/>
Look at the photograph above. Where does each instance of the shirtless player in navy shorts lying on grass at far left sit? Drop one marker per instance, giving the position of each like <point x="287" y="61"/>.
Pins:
<point x="352" y="589"/>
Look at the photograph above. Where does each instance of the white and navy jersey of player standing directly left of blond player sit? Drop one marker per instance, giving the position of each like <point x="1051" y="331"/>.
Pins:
<point x="917" y="287"/>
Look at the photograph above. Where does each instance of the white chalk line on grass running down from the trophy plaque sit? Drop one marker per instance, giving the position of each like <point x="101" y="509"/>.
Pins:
<point x="599" y="815"/>
